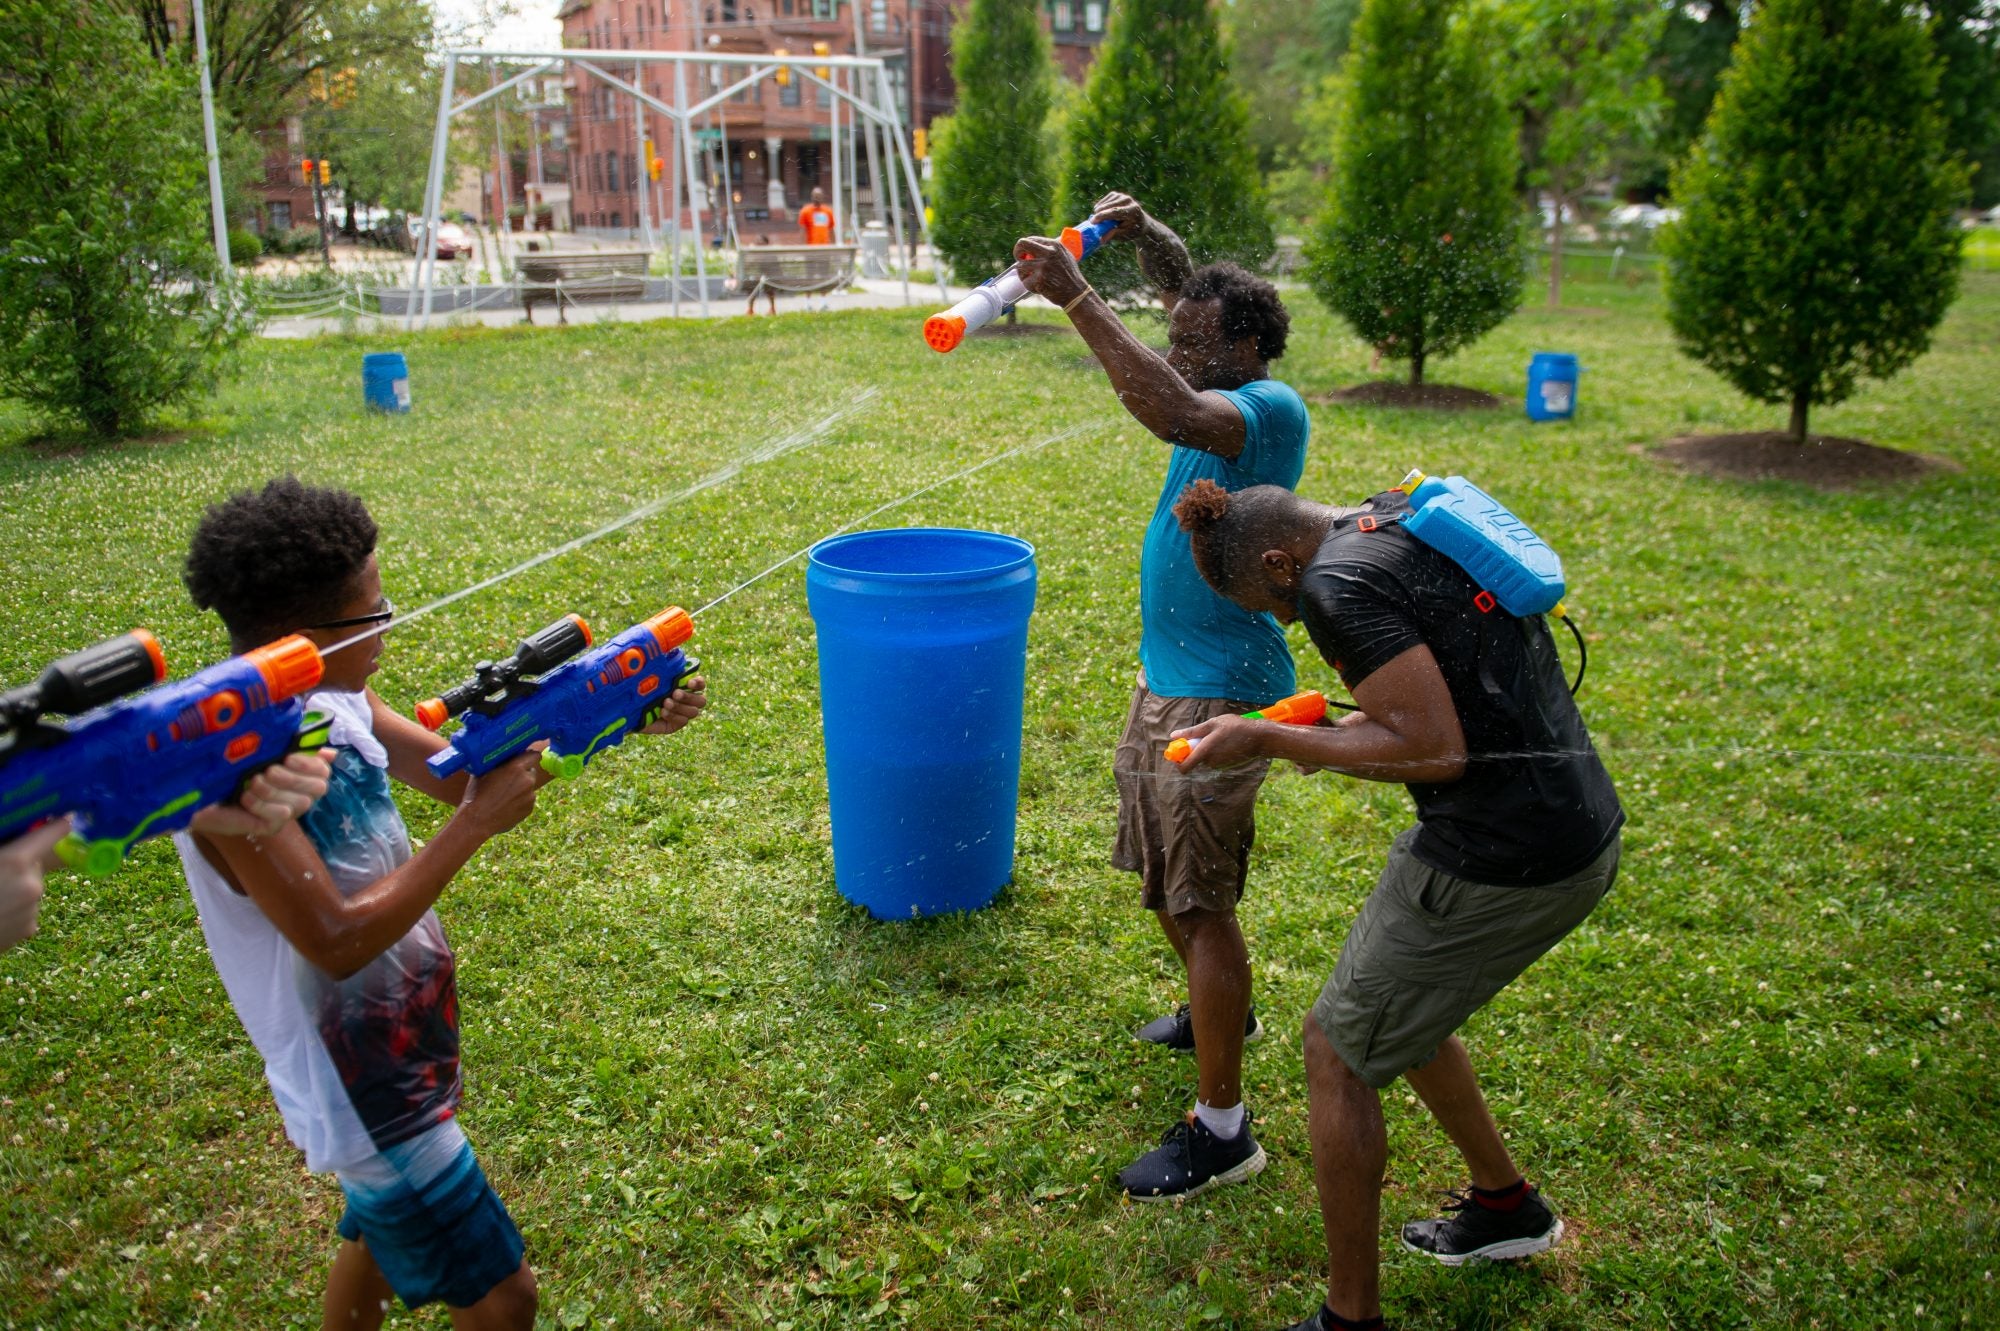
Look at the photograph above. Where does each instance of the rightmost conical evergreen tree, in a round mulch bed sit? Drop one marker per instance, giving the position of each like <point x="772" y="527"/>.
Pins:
<point x="1817" y="241"/>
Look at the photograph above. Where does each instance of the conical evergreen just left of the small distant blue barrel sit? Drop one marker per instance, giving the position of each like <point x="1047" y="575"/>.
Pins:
<point x="1423" y="247"/>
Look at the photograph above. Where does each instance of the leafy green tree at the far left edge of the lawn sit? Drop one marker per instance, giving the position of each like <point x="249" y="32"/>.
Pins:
<point x="105" y="233"/>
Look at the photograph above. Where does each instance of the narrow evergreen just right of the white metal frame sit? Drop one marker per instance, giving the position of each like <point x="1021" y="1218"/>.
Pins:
<point x="993" y="173"/>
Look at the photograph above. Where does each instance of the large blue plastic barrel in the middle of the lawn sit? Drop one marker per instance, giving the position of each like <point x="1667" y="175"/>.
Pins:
<point x="923" y="641"/>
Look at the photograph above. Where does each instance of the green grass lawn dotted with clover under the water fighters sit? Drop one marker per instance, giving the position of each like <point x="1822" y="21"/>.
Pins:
<point x="1761" y="1082"/>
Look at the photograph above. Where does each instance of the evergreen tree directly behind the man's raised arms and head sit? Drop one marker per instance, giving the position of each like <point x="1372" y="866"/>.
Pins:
<point x="1163" y="123"/>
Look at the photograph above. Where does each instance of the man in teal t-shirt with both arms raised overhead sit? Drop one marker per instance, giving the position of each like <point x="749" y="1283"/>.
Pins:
<point x="1201" y="657"/>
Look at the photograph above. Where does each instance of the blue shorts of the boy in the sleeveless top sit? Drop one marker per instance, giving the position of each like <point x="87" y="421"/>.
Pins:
<point x="431" y="1220"/>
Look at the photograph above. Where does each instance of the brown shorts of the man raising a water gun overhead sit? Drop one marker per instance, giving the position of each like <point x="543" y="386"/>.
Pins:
<point x="1187" y="836"/>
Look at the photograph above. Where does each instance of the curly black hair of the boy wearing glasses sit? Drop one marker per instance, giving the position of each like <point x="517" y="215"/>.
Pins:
<point x="281" y="559"/>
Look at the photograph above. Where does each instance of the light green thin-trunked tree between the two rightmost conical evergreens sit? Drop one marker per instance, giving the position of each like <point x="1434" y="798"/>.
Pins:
<point x="1577" y="75"/>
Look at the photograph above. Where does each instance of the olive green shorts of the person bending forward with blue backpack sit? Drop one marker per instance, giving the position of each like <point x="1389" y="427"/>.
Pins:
<point x="1429" y="950"/>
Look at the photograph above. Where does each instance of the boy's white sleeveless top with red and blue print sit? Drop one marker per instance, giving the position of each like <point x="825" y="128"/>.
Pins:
<point x="365" y="1062"/>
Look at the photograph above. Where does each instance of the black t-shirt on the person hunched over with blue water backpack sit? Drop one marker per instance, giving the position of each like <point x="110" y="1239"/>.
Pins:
<point x="1535" y="802"/>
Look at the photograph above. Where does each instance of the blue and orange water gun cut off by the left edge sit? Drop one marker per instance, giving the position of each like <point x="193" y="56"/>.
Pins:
<point x="147" y="766"/>
